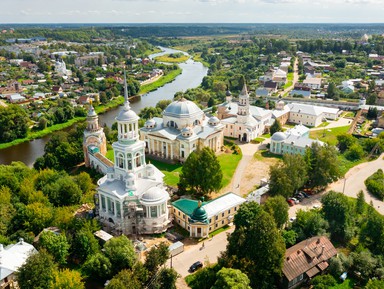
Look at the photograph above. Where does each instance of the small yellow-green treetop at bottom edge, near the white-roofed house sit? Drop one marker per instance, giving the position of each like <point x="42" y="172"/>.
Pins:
<point x="66" y="279"/>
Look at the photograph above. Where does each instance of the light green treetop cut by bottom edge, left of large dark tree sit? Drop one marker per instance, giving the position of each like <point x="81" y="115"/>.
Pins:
<point x="228" y="278"/>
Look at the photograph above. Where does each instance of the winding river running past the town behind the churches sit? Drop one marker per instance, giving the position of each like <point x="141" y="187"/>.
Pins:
<point x="191" y="76"/>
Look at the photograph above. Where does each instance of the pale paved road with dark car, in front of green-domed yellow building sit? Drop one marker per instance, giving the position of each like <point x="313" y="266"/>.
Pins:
<point x="210" y="252"/>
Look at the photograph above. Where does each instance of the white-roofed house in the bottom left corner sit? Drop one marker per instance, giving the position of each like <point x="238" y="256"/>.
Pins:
<point x="11" y="258"/>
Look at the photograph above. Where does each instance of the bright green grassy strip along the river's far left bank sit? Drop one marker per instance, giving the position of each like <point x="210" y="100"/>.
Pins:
<point x="99" y="109"/>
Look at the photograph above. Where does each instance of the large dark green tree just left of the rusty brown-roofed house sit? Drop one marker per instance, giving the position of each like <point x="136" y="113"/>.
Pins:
<point x="255" y="247"/>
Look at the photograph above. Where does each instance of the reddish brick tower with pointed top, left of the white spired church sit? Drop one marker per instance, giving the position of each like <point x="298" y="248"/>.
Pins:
<point x="94" y="137"/>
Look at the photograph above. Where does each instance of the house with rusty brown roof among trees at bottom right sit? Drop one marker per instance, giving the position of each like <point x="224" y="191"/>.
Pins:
<point x="305" y="260"/>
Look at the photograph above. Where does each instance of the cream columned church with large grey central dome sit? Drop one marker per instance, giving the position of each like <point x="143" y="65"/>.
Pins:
<point x="183" y="128"/>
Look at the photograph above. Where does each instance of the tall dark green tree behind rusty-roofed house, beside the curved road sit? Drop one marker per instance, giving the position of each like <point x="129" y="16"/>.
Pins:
<point x="338" y="212"/>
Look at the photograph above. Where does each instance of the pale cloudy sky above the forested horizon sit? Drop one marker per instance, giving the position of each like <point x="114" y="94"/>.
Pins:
<point x="191" y="11"/>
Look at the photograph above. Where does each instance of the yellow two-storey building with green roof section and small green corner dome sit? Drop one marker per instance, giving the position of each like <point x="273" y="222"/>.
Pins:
<point x="201" y="218"/>
